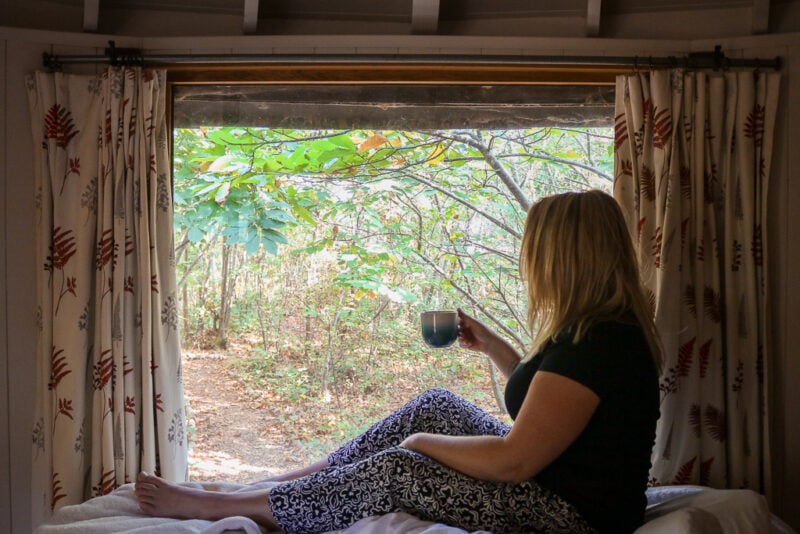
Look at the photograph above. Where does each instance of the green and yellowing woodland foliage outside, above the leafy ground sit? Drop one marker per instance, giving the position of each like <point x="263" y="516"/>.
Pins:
<point x="337" y="239"/>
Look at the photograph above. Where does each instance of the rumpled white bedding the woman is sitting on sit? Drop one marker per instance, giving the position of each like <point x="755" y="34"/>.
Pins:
<point x="671" y="509"/>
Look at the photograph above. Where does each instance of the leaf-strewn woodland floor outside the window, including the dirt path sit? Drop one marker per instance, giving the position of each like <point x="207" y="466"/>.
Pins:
<point x="238" y="434"/>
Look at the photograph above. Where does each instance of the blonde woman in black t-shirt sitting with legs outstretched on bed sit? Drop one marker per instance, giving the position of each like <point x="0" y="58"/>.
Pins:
<point x="584" y="403"/>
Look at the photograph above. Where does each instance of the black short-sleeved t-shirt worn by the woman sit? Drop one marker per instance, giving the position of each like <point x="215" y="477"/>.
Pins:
<point x="604" y="472"/>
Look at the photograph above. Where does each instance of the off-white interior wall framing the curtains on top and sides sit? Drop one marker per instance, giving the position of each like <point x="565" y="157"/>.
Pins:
<point x="23" y="50"/>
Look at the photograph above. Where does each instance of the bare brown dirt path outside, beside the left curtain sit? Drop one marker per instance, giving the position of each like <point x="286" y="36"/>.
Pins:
<point x="233" y="438"/>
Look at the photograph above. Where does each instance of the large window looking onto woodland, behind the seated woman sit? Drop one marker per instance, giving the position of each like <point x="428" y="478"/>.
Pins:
<point x="315" y="222"/>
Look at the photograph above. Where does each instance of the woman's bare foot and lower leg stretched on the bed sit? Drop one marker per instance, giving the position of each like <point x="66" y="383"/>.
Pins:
<point x="157" y="497"/>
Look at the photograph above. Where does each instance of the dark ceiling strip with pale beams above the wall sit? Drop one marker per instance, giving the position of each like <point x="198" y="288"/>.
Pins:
<point x="446" y="17"/>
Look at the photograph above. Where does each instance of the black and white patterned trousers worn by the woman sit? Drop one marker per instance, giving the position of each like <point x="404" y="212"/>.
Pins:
<point x="371" y="475"/>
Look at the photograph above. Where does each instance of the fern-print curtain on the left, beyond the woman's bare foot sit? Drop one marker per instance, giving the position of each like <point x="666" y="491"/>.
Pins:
<point x="110" y="395"/>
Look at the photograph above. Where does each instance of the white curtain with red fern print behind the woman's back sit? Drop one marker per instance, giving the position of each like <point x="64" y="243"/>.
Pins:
<point x="692" y="165"/>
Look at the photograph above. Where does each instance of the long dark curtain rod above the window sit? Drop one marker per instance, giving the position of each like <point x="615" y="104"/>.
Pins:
<point x="132" y="56"/>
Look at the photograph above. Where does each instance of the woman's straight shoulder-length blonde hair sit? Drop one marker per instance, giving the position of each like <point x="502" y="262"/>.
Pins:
<point x="580" y="266"/>
